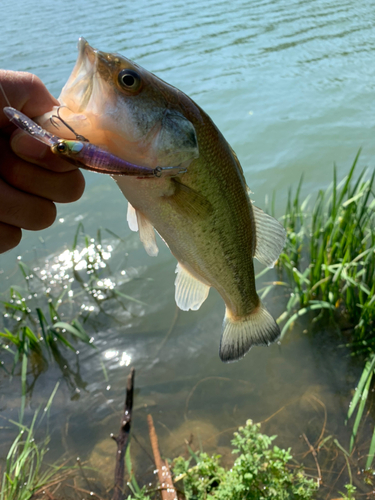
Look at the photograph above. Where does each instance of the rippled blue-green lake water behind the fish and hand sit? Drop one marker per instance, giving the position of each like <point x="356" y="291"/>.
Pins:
<point x="292" y="87"/>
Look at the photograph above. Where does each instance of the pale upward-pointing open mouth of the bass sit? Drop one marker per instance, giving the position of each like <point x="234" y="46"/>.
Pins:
<point x="78" y="90"/>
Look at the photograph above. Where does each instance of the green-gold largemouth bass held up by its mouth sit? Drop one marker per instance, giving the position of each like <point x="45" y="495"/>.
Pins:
<point x="205" y="215"/>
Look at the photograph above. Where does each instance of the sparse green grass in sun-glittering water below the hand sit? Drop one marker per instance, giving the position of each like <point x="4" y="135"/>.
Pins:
<point x="53" y="310"/>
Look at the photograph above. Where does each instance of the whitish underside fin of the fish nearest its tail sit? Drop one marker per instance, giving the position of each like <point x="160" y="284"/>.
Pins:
<point x="190" y="292"/>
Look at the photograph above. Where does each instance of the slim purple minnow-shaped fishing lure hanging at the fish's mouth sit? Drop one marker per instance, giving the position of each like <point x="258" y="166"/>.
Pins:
<point x="83" y="154"/>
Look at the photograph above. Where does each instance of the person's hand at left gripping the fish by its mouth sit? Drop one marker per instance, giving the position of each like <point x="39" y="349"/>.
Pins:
<point x="32" y="178"/>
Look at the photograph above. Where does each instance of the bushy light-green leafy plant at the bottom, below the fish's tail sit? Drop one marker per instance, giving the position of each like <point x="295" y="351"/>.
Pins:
<point x="261" y="471"/>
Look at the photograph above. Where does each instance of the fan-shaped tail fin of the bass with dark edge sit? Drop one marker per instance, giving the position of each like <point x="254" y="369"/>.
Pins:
<point x="239" y="336"/>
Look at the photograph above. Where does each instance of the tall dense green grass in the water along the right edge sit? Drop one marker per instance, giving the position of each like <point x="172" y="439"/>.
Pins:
<point x="330" y="262"/>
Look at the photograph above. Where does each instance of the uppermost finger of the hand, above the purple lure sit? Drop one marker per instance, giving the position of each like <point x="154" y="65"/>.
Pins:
<point x="25" y="92"/>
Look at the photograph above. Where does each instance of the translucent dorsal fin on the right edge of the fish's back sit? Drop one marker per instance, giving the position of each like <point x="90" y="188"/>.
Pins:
<point x="270" y="237"/>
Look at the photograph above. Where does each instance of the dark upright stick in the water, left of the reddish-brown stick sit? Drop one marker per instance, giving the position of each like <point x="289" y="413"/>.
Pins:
<point x="122" y="439"/>
